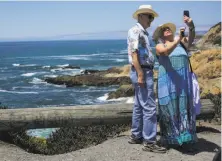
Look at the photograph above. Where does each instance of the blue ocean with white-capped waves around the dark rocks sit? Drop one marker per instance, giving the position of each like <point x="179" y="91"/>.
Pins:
<point x="25" y="65"/>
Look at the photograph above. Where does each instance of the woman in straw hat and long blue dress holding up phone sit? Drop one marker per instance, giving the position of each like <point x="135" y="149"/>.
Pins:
<point x="177" y="117"/>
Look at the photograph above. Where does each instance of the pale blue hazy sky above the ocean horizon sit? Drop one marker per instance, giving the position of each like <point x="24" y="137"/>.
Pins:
<point x="28" y="20"/>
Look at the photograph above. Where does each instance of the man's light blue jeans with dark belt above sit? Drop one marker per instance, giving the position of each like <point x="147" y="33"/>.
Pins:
<point x="144" y="119"/>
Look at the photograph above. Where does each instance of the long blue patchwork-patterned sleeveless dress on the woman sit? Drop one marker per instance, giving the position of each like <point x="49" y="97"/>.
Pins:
<point x="177" y="117"/>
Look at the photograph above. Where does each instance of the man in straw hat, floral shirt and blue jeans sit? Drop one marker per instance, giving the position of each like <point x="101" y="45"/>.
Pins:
<point x="144" y="120"/>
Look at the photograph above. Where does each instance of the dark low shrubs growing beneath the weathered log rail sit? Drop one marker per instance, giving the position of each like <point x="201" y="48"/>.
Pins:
<point x="66" y="139"/>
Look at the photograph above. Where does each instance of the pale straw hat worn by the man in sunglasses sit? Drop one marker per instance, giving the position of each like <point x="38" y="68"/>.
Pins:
<point x="144" y="9"/>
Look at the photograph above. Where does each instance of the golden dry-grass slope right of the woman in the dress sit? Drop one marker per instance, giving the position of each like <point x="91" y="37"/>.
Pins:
<point x="207" y="65"/>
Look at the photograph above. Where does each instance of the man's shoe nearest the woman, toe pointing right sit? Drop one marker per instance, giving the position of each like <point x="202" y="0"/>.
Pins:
<point x="153" y="147"/>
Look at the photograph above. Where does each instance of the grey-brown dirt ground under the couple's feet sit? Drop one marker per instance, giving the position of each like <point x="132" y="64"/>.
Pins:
<point x="118" y="149"/>
